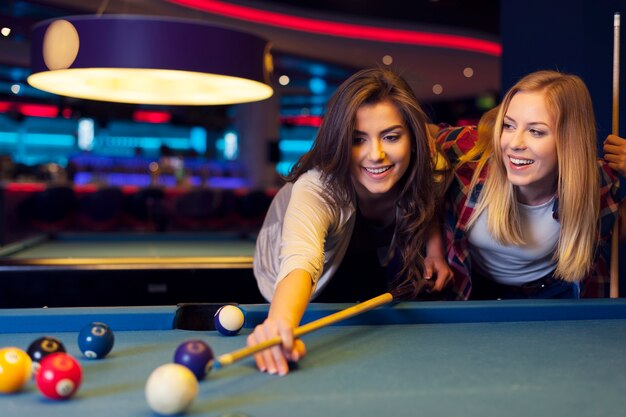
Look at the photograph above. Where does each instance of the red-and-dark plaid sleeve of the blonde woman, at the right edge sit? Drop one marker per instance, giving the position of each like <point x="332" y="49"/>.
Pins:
<point x="596" y="284"/>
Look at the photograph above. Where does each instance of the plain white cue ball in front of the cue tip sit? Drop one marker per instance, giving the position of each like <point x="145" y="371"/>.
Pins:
<point x="171" y="388"/>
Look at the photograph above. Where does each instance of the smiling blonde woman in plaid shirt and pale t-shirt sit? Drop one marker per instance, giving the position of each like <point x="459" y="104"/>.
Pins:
<point x="531" y="205"/>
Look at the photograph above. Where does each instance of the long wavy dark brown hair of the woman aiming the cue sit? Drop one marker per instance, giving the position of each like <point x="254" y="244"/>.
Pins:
<point x="331" y="154"/>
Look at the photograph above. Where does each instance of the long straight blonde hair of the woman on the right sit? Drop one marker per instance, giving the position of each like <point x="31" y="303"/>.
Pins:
<point x="569" y="102"/>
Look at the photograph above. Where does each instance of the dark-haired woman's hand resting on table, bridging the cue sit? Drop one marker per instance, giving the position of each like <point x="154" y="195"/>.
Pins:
<point x="274" y="360"/>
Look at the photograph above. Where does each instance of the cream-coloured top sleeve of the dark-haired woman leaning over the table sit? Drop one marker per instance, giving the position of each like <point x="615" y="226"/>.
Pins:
<point x="302" y="231"/>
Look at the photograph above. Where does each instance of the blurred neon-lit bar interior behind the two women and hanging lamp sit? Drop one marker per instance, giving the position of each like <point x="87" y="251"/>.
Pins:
<point x="183" y="189"/>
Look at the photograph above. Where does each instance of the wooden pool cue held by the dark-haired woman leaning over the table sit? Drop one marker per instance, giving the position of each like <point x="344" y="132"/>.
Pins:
<point x="386" y="298"/>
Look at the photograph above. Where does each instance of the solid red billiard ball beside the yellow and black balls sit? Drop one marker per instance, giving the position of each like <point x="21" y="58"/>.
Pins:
<point x="59" y="376"/>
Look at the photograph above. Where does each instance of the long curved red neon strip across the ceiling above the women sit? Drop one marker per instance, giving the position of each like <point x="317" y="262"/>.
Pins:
<point x="344" y="30"/>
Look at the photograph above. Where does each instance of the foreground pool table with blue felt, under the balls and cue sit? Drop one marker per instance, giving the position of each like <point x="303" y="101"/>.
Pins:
<point x="471" y="358"/>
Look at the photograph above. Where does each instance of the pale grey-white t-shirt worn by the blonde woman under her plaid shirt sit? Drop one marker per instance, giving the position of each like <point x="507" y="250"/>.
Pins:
<point x="530" y="261"/>
